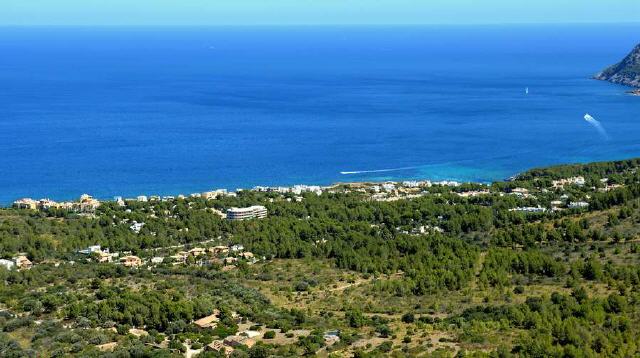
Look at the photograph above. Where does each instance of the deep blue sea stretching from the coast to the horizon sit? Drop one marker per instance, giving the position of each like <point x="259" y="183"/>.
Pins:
<point x="128" y="111"/>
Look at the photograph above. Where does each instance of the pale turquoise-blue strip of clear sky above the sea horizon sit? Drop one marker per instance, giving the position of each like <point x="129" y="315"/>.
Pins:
<point x="313" y="12"/>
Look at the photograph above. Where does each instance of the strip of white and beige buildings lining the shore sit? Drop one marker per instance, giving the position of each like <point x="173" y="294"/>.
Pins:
<point x="385" y="191"/>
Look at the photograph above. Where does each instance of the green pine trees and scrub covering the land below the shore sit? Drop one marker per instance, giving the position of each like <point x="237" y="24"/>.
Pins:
<point x="439" y="273"/>
